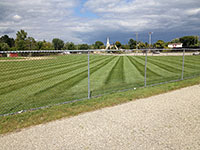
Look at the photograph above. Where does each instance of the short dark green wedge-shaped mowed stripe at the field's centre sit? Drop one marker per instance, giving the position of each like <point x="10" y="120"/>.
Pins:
<point x="116" y="74"/>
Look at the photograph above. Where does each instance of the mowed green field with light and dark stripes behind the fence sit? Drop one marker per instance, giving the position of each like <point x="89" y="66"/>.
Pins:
<point x="37" y="83"/>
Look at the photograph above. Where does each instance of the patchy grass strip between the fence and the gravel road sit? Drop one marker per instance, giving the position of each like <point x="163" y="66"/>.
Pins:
<point x="17" y="122"/>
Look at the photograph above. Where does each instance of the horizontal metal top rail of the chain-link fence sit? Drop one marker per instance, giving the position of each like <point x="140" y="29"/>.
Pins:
<point x="93" y="50"/>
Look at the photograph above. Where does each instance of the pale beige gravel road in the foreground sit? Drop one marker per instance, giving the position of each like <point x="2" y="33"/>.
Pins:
<point x="169" y="121"/>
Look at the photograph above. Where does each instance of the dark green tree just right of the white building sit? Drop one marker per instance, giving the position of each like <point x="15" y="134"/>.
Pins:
<point x="189" y="41"/>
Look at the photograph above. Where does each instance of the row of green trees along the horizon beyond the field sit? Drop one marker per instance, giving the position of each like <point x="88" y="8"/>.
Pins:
<point x="23" y="42"/>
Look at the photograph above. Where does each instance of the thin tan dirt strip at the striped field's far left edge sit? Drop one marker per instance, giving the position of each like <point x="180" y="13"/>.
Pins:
<point x="27" y="59"/>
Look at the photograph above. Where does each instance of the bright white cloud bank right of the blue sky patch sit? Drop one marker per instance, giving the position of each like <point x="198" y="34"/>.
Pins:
<point x="144" y="14"/>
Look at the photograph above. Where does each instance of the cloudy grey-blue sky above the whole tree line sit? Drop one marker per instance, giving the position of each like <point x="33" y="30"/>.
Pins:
<point x="87" y="21"/>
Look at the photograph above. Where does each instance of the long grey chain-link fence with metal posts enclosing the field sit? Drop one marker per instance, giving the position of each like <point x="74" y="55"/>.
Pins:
<point x="33" y="80"/>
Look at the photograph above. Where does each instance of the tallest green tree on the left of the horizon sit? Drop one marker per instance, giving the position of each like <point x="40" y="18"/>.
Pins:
<point x="20" y="41"/>
